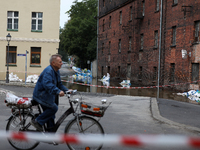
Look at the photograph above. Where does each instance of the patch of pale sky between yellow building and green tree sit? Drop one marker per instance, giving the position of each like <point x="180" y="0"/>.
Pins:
<point x="65" y="5"/>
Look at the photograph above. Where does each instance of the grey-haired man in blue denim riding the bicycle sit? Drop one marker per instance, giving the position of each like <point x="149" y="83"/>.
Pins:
<point x="47" y="91"/>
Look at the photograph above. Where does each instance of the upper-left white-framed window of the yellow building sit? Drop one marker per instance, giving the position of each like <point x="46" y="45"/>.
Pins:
<point x="13" y="17"/>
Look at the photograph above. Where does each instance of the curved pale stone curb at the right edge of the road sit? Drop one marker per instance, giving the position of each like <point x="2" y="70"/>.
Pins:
<point x="156" y="115"/>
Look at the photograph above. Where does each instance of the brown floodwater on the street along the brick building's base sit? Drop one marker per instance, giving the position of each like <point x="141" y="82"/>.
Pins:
<point x="149" y="92"/>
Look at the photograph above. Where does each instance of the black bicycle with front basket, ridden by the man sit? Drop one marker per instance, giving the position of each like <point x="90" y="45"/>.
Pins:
<point x="82" y="123"/>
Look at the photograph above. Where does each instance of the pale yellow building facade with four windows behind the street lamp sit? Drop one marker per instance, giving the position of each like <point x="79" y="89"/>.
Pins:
<point x="34" y="26"/>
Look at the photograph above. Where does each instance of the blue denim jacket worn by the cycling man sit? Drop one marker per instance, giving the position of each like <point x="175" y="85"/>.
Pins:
<point x="46" y="88"/>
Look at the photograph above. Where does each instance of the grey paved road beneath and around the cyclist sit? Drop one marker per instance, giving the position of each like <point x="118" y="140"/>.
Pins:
<point x="126" y="115"/>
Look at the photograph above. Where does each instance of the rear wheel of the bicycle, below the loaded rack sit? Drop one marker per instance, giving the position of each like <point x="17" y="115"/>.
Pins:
<point x="21" y="123"/>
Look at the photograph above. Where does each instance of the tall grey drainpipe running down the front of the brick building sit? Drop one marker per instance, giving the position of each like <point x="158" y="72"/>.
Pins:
<point x="161" y="7"/>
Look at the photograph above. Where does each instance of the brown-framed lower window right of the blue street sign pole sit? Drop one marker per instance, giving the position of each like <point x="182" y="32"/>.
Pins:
<point x="35" y="55"/>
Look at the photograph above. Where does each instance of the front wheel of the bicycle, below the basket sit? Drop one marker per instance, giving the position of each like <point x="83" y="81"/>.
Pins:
<point x="85" y="125"/>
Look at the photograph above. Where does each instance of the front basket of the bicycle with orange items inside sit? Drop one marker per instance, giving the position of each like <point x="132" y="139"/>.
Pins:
<point x="93" y="110"/>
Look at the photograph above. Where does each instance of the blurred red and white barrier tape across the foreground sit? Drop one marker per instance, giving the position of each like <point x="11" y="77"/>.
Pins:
<point x="109" y="140"/>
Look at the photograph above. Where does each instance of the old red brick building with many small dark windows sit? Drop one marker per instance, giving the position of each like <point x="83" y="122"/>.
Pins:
<point x="128" y="41"/>
